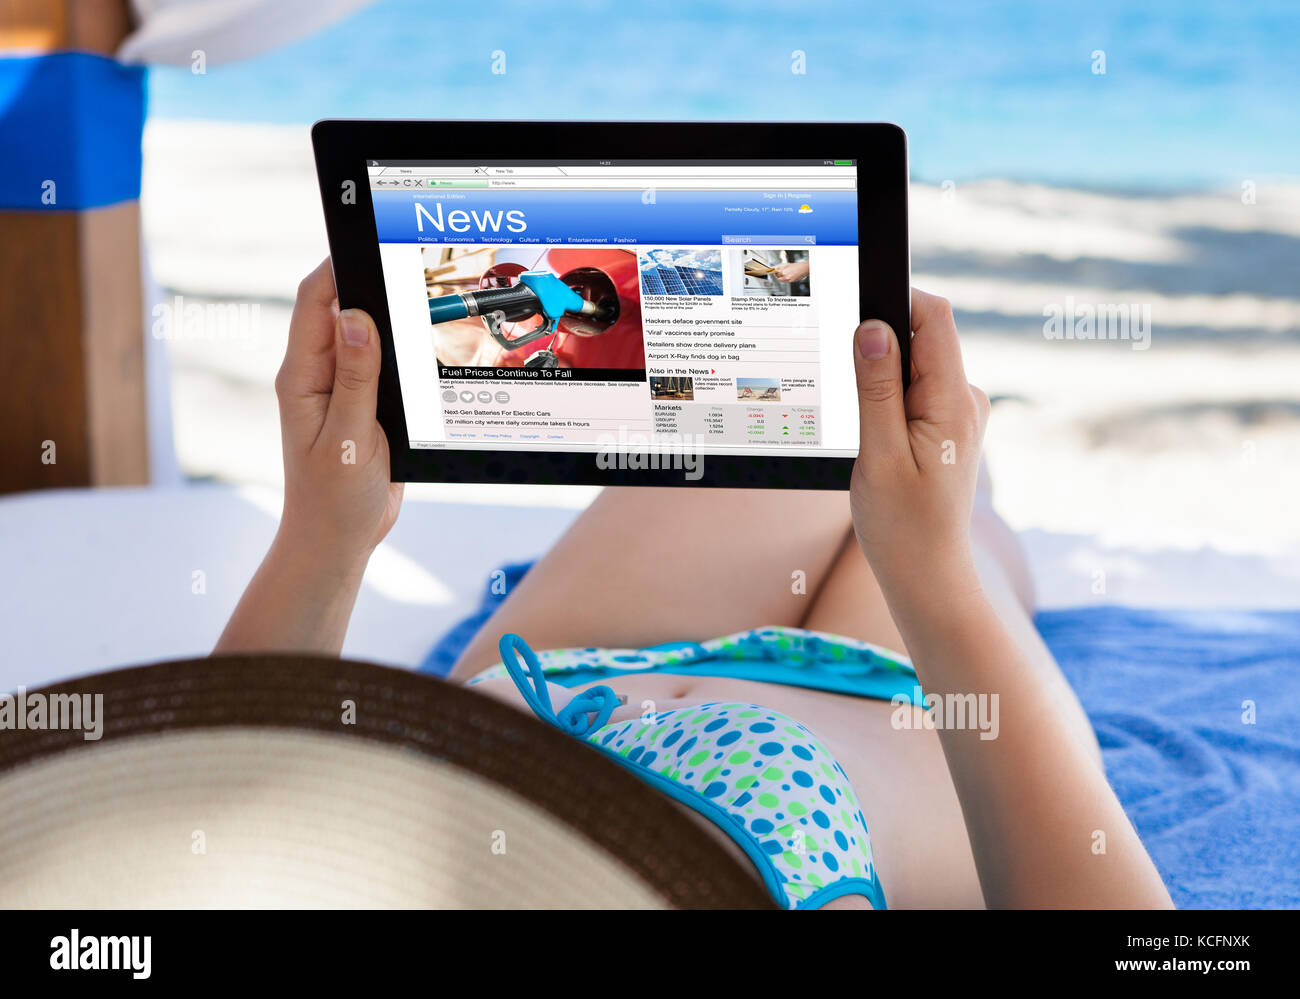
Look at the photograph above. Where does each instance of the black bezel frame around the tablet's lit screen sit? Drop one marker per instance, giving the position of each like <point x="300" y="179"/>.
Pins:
<point x="885" y="273"/>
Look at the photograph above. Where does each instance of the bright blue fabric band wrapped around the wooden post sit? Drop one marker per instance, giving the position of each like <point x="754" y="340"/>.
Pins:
<point x="72" y="119"/>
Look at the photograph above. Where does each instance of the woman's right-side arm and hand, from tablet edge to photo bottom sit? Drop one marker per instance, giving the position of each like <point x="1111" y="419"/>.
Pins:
<point x="1045" y="825"/>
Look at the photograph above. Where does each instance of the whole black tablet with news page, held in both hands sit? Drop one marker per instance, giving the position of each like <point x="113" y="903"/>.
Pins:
<point x="623" y="304"/>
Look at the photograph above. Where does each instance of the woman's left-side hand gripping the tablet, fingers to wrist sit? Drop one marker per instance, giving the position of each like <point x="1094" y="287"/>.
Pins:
<point x="339" y="500"/>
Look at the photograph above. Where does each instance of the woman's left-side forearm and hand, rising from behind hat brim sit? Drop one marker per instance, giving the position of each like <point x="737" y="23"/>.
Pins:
<point x="339" y="500"/>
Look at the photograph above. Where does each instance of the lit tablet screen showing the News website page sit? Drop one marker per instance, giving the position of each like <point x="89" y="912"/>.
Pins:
<point x="640" y="305"/>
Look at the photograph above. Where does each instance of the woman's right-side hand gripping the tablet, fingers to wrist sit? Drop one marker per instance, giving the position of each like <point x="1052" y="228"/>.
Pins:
<point x="915" y="482"/>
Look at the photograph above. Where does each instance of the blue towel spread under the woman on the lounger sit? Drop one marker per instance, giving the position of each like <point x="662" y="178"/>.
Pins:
<point x="1215" y="799"/>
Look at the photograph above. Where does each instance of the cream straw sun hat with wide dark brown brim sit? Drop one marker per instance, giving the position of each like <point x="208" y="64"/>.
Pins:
<point x="300" y="781"/>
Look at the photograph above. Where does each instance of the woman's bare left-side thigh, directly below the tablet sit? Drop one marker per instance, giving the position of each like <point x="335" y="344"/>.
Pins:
<point x="644" y="566"/>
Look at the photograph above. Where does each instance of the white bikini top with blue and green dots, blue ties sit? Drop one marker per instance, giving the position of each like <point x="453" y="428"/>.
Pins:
<point x="759" y="776"/>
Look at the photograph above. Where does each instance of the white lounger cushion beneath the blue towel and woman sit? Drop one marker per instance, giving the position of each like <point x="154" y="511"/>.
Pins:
<point x="106" y="578"/>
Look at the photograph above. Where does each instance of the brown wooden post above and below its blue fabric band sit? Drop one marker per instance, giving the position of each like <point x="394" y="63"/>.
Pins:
<point x="72" y="318"/>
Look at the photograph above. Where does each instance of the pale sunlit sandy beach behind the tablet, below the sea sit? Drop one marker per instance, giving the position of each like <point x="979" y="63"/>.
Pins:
<point x="1188" y="444"/>
